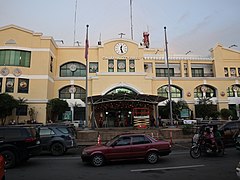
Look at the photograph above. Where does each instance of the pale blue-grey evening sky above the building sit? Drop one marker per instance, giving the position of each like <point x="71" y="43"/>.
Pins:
<point x="191" y="25"/>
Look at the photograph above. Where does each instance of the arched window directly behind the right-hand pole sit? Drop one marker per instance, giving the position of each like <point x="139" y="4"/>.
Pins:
<point x="175" y="92"/>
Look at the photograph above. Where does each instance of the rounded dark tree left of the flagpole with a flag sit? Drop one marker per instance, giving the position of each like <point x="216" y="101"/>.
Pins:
<point x="56" y="107"/>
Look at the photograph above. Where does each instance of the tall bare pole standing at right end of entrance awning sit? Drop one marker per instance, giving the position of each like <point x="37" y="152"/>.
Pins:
<point x="169" y="83"/>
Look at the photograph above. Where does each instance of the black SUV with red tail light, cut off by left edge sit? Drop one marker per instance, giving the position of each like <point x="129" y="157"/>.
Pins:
<point x="18" y="144"/>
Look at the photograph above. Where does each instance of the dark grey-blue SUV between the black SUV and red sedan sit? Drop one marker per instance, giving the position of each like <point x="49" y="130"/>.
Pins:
<point x="57" y="138"/>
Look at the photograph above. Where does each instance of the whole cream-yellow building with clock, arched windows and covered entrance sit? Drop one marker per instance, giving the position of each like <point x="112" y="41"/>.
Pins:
<point x="36" y="68"/>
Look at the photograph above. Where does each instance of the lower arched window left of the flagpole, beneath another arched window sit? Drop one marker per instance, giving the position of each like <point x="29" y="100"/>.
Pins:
<point x="78" y="93"/>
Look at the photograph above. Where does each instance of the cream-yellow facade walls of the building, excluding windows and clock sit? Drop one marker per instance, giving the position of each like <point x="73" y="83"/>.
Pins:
<point x="45" y="84"/>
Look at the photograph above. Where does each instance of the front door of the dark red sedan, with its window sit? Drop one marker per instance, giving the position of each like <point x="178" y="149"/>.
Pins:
<point x="119" y="149"/>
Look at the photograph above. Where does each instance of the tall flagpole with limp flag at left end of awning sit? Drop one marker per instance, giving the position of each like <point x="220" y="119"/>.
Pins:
<point x="86" y="58"/>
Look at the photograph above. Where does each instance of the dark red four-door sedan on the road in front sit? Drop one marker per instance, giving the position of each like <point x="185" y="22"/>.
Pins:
<point x="126" y="147"/>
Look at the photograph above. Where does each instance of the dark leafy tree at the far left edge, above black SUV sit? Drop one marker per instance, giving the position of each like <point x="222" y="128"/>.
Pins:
<point x="7" y="104"/>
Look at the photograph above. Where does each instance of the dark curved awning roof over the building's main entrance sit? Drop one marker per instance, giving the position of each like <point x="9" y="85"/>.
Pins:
<point x="125" y="97"/>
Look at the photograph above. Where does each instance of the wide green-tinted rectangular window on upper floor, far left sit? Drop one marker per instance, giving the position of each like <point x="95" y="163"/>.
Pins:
<point x="15" y="58"/>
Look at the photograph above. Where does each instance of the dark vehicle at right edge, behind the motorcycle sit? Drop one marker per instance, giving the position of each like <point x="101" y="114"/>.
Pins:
<point x="229" y="132"/>
